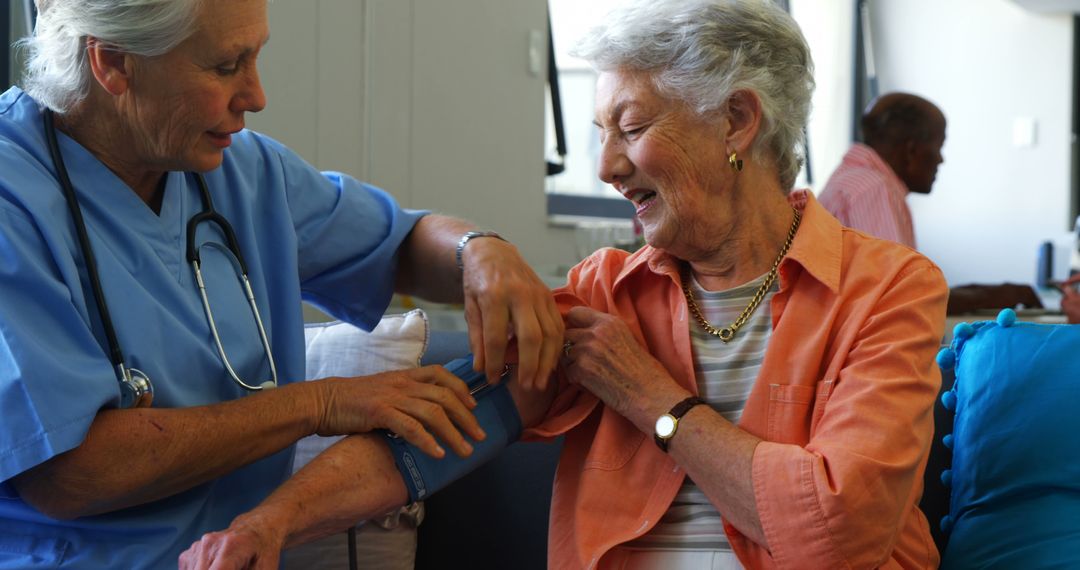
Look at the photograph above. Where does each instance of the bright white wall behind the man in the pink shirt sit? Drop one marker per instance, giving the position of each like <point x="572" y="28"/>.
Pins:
<point x="985" y="63"/>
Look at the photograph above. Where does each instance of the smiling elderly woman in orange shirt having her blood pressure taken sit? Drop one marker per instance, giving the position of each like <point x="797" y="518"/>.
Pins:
<point x="754" y="388"/>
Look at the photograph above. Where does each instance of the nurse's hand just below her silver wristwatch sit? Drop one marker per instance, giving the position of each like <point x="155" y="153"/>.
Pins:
<point x="505" y="297"/>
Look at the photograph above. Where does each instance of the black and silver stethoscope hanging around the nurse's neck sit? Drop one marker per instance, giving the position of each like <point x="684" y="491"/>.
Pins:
<point x="137" y="391"/>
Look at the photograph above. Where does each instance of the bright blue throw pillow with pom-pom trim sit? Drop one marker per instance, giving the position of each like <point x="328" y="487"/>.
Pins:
<point x="1016" y="476"/>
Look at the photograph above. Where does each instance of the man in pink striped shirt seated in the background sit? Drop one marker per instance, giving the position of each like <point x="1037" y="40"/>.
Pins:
<point x="903" y="137"/>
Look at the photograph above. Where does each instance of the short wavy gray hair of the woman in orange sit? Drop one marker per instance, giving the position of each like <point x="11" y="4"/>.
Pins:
<point x="703" y="51"/>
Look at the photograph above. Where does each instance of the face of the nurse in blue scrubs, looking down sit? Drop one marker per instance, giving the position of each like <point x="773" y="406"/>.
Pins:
<point x="182" y="107"/>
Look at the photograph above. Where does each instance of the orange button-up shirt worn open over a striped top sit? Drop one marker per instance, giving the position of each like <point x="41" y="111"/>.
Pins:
<point x="844" y="404"/>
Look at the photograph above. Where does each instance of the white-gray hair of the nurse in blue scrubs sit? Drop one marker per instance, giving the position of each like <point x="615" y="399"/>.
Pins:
<point x="58" y="73"/>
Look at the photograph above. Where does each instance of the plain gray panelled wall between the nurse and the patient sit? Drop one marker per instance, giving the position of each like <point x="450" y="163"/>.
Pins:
<point x="433" y="101"/>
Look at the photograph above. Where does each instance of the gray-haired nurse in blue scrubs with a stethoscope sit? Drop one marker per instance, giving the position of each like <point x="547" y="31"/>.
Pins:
<point x="145" y="102"/>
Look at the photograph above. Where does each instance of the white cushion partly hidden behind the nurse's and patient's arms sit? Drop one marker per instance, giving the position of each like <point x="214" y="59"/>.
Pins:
<point x="343" y="350"/>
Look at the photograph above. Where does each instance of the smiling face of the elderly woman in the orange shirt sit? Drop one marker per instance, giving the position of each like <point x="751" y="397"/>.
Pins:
<point x="671" y="162"/>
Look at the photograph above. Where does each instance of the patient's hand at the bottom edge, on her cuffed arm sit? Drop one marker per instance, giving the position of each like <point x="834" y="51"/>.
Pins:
<point x="244" y="546"/>
